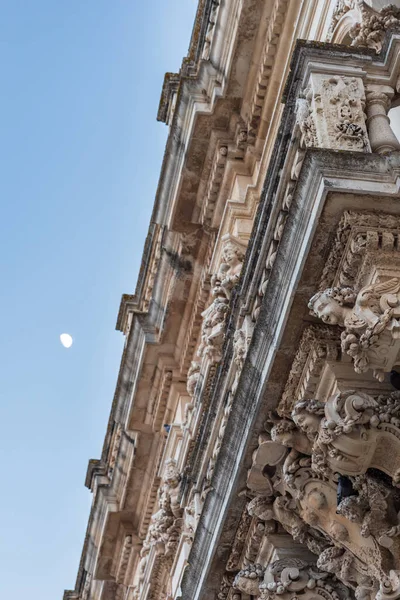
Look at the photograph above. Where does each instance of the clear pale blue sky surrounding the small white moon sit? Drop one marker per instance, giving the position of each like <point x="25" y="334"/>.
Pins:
<point x="80" y="157"/>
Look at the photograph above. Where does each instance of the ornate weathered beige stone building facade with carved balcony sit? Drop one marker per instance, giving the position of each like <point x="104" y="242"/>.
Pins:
<point x="253" y="446"/>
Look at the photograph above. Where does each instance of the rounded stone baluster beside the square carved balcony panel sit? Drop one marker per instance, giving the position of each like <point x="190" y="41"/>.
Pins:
<point x="381" y="136"/>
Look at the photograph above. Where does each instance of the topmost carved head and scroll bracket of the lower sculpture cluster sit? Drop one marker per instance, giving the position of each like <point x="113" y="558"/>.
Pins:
<point x="352" y="432"/>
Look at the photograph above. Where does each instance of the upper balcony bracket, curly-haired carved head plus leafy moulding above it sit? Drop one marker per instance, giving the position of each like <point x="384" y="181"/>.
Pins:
<point x="364" y="299"/>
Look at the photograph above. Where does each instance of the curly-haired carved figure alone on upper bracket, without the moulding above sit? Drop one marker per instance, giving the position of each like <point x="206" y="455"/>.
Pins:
<point x="371" y="320"/>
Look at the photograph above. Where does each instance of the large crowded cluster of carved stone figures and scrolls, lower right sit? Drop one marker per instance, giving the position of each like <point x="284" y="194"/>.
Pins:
<point x="334" y="487"/>
